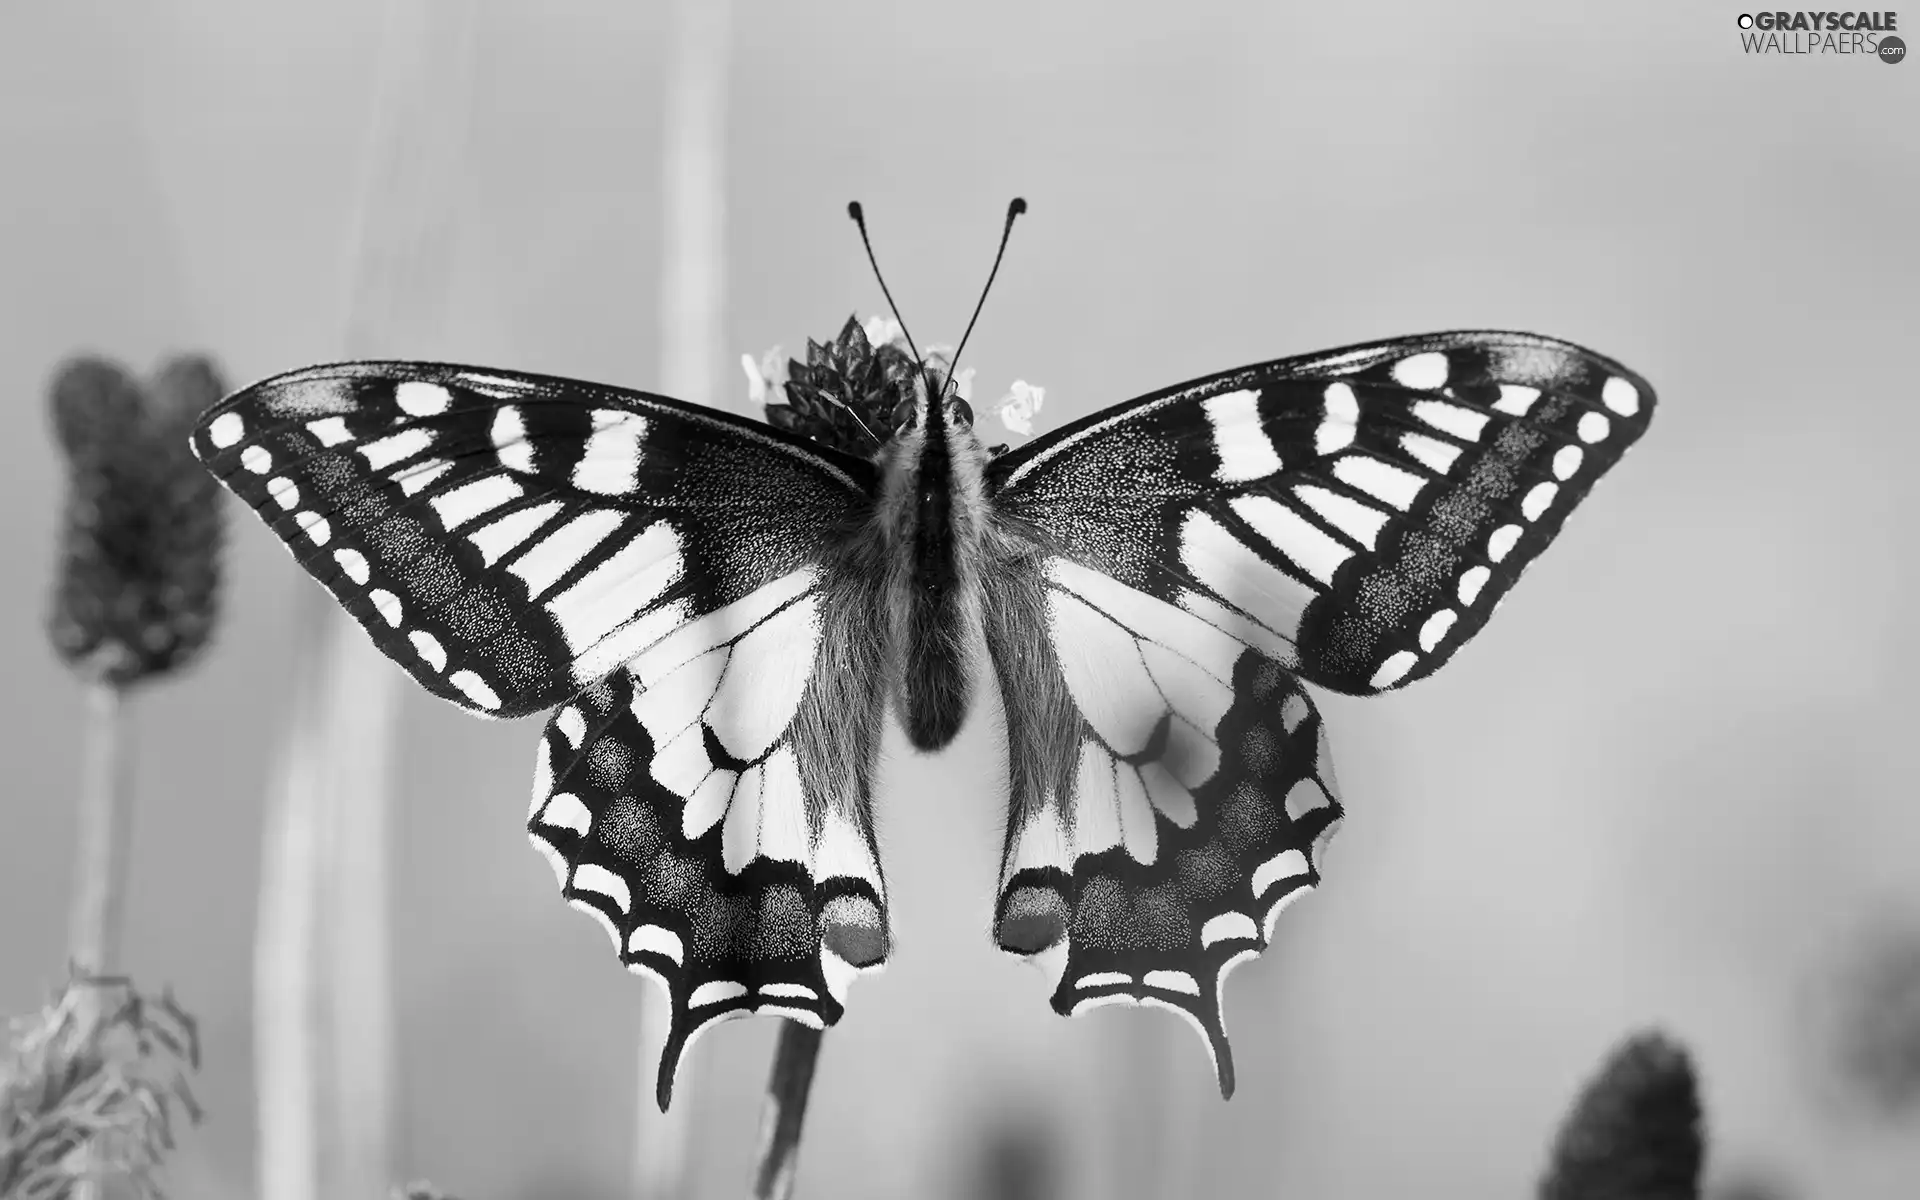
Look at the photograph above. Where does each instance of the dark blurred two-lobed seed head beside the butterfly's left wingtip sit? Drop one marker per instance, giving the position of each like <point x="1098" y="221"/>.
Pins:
<point x="141" y="535"/>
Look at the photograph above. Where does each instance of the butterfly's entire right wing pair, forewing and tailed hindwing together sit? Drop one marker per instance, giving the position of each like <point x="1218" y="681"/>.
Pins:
<point x="1349" y="519"/>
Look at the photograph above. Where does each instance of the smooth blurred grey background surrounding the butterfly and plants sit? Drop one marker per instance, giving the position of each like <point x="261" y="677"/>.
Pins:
<point x="1673" y="784"/>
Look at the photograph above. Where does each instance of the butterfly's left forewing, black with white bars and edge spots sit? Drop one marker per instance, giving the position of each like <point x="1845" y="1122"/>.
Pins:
<point x="510" y="539"/>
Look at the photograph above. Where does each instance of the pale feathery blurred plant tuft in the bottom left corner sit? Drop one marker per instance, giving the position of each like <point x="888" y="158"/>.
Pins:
<point x="89" y="1088"/>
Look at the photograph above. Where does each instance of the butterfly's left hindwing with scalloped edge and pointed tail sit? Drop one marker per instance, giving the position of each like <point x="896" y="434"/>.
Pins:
<point x="711" y="809"/>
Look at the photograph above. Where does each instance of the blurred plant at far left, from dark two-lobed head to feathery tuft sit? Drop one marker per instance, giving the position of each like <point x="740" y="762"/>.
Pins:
<point x="89" y="1086"/>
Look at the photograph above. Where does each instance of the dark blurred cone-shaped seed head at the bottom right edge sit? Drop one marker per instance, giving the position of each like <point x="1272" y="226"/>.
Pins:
<point x="1635" y="1134"/>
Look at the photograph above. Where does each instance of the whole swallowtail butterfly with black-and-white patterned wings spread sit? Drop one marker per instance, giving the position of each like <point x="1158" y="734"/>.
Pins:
<point x="723" y="613"/>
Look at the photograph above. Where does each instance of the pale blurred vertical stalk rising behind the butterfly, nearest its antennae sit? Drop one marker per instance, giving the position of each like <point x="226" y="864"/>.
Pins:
<point x="692" y="347"/>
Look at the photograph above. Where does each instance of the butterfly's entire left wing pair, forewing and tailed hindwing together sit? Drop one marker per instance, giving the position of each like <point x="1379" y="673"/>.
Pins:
<point x="521" y="542"/>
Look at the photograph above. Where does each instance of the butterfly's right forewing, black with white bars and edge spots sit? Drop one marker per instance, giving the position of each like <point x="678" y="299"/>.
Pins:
<point x="1356" y="516"/>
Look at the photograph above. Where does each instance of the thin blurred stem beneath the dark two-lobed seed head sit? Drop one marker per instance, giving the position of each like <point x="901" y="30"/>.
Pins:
<point x="107" y="832"/>
